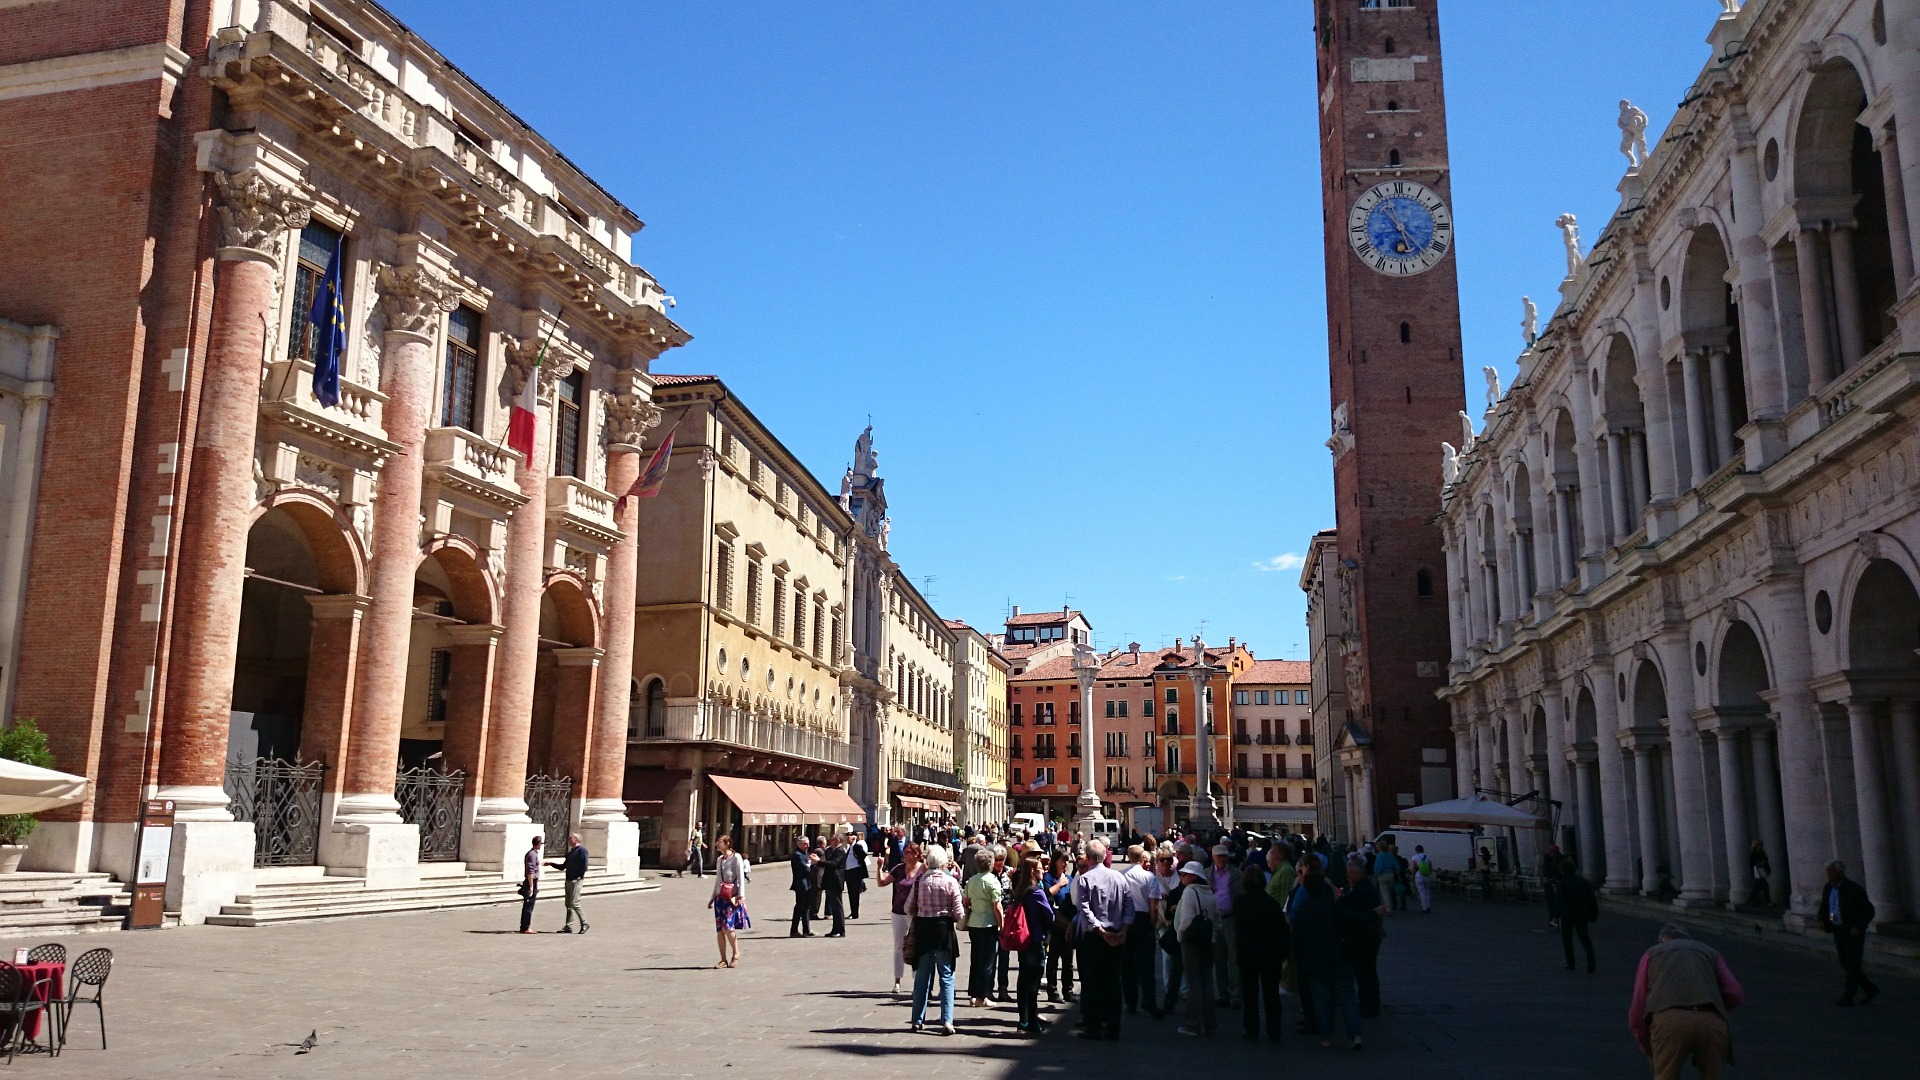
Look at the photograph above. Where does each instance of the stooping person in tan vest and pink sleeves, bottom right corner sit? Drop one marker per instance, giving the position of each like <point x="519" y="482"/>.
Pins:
<point x="1683" y="994"/>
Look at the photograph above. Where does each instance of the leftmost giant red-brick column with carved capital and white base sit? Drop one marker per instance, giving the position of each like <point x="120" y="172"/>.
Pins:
<point x="212" y="852"/>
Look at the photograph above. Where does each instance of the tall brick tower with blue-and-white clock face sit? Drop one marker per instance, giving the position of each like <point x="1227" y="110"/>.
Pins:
<point x="1393" y="333"/>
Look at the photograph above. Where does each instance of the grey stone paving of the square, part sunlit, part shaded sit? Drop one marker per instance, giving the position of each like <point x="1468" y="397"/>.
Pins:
<point x="1470" y="993"/>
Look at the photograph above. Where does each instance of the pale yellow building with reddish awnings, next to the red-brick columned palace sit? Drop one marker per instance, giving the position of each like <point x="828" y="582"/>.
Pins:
<point x="738" y="718"/>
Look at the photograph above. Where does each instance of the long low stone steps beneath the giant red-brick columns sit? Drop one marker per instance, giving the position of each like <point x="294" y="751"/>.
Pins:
<point x="295" y="895"/>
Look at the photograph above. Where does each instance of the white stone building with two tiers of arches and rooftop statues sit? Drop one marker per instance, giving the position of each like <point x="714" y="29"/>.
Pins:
<point x="1683" y="551"/>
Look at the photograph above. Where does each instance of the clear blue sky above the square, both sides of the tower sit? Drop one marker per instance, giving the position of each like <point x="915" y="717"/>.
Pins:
<point x="1067" y="257"/>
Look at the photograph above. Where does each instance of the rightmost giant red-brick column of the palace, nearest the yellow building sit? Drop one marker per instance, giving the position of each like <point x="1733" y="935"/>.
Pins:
<point x="612" y="839"/>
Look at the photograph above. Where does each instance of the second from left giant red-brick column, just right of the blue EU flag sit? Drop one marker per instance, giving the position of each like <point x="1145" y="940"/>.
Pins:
<point x="368" y="835"/>
